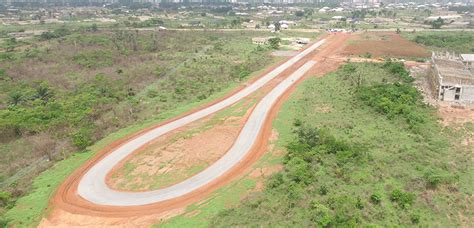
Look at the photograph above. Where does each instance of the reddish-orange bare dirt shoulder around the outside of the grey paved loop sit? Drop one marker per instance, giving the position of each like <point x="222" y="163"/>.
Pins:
<point x="67" y="199"/>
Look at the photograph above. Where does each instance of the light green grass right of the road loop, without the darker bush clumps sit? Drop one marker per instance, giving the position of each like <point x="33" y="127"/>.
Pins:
<point x="399" y="165"/>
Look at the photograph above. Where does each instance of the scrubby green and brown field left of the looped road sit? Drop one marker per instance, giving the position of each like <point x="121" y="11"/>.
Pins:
<point x="71" y="88"/>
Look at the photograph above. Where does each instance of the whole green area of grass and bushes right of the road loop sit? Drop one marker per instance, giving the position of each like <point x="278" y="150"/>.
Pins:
<point x="354" y="158"/>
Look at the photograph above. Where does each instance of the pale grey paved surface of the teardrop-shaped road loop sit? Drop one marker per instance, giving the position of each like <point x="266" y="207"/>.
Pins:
<point x="93" y="187"/>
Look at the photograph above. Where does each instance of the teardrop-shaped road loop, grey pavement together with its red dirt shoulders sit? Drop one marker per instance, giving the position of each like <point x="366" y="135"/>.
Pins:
<point x="82" y="192"/>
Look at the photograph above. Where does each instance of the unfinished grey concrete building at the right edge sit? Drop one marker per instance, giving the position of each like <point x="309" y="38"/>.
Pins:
<point x="452" y="77"/>
